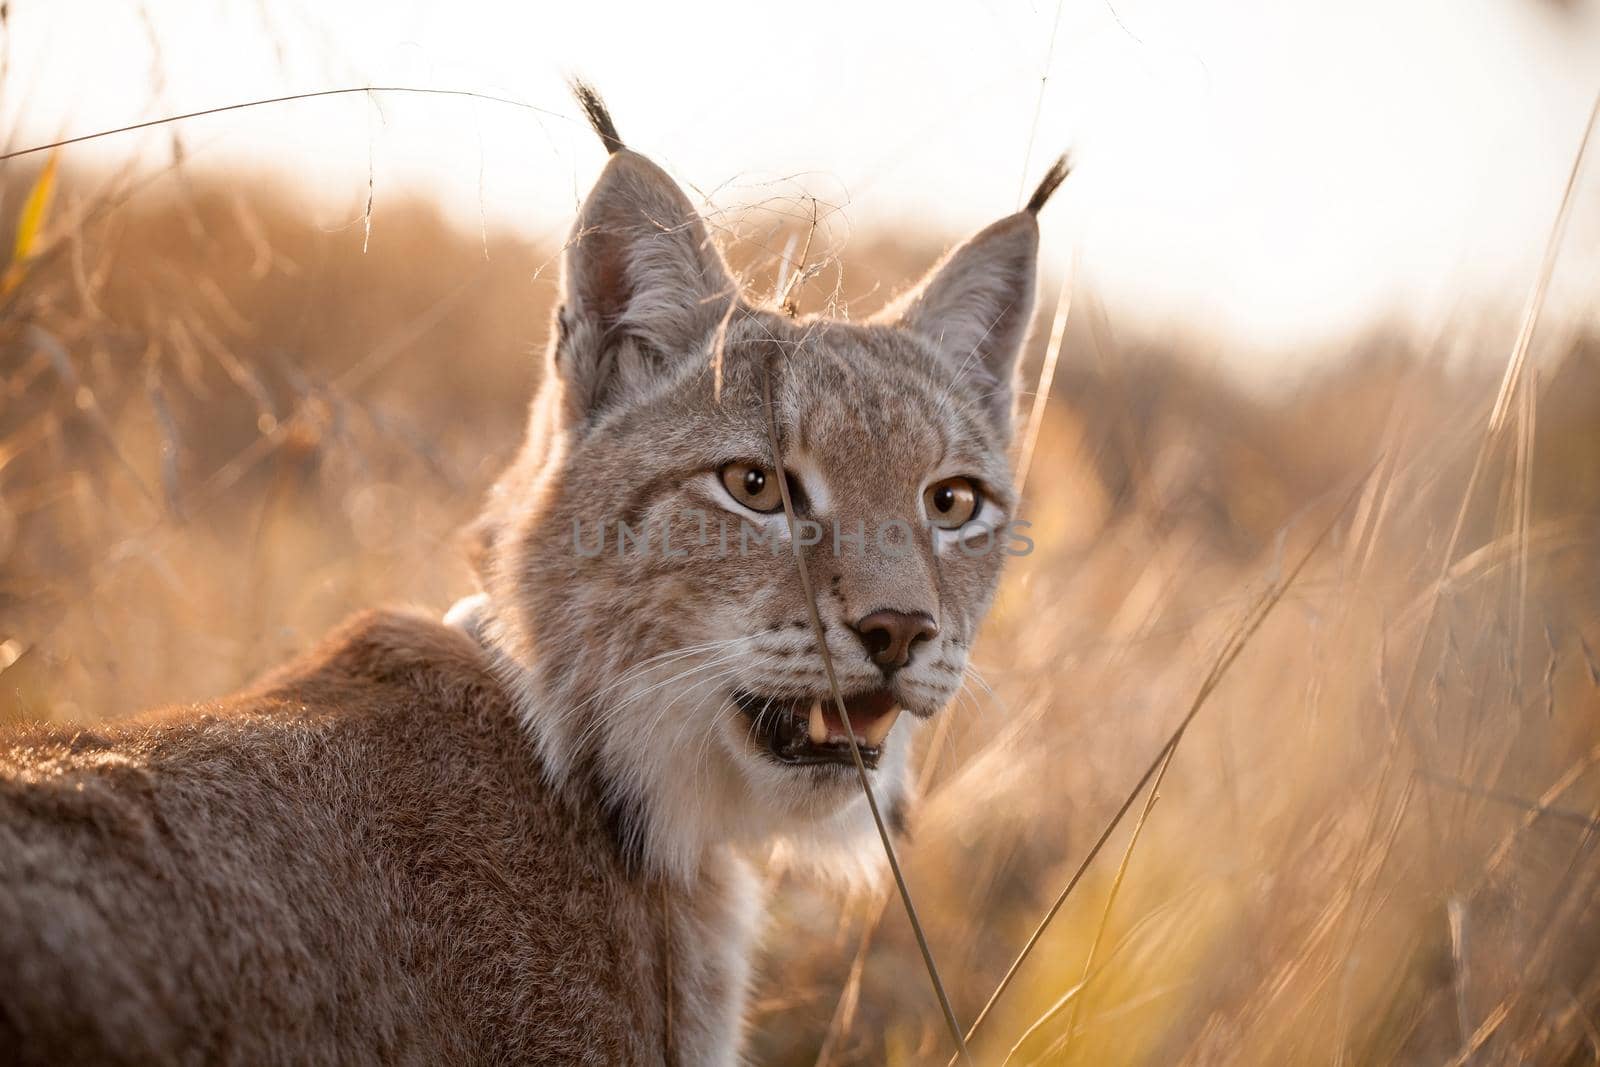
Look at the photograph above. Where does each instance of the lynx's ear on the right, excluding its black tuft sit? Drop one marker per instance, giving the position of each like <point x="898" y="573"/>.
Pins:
<point x="977" y="308"/>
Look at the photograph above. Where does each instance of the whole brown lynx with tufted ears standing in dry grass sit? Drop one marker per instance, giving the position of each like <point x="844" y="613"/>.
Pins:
<point x="526" y="834"/>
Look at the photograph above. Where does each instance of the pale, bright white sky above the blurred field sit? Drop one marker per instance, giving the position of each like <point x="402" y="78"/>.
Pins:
<point x="1268" y="170"/>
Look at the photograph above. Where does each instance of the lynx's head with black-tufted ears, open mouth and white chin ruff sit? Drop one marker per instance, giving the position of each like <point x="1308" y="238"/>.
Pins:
<point x="639" y="565"/>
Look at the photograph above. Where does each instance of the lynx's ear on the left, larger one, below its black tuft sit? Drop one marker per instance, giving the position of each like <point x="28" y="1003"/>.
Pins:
<point x="642" y="282"/>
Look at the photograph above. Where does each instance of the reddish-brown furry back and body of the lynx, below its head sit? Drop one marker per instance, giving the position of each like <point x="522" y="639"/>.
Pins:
<point x="356" y="863"/>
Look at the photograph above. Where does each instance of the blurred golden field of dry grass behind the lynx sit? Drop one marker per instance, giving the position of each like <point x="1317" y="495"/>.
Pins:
<point x="226" y="425"/>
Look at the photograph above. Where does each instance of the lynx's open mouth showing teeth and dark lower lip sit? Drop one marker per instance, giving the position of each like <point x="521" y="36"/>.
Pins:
<point x="809" y="730"/>
